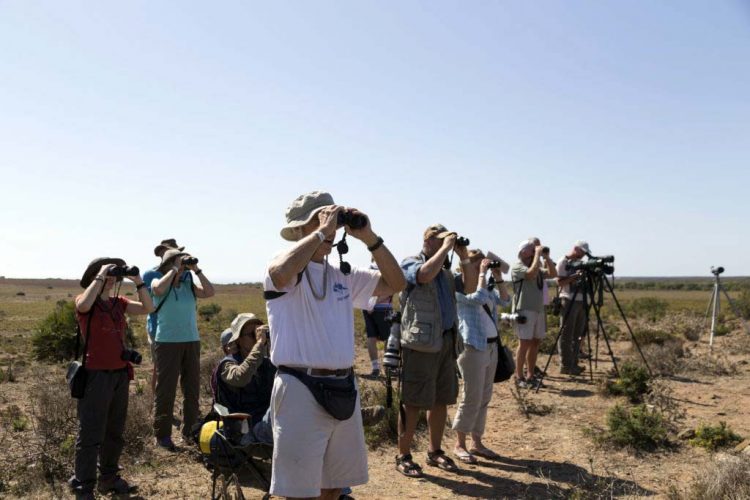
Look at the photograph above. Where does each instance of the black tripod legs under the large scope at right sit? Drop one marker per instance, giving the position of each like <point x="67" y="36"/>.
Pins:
<point x="592" y="284"/>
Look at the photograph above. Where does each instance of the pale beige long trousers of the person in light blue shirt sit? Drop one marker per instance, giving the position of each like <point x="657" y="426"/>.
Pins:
<point x="478" y="373"/>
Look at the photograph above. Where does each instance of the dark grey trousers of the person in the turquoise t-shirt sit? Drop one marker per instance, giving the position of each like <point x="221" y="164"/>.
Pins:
<point x="176" y="360"/>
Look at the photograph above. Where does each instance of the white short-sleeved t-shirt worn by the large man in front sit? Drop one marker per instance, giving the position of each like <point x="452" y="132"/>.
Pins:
<point x="312" y="333"/>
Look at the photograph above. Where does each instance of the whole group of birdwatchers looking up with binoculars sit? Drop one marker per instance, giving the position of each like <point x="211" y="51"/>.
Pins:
<point x="294" y="376"/>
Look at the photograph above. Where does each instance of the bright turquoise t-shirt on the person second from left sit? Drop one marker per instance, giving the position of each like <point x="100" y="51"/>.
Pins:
<point x="177" y="320"/>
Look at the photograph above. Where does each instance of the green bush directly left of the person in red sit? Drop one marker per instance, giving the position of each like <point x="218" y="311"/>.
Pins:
<point x="55" y="337"/>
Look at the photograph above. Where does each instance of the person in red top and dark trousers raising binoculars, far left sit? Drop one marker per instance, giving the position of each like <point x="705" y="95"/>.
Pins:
<point x="104" y="406"/>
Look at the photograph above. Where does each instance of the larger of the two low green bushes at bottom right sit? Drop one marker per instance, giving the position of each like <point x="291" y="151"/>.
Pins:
<point x="637" y="427"/>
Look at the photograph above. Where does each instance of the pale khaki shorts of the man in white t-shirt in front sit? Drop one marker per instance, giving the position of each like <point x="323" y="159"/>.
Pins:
<point x="312" y="450"/>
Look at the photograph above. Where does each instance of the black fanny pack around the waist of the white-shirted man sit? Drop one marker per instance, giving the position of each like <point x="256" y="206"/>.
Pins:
<point x="338" y="396"/>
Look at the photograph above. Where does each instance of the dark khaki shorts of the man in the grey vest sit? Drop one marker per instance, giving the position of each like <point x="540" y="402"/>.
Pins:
<point x="430" y="378"/>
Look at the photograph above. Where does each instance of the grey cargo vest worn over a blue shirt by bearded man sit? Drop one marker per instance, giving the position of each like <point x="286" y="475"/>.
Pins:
<point x="421" y="319"/>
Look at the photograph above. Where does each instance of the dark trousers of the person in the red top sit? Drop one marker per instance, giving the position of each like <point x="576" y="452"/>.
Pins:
<point x="101" y="422"/>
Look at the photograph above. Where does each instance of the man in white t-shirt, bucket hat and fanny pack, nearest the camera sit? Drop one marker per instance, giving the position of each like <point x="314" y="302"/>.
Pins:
<point x="319" y="441"/>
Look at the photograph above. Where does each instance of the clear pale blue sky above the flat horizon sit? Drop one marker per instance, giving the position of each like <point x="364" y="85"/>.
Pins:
<point x="623" y="123"/>
